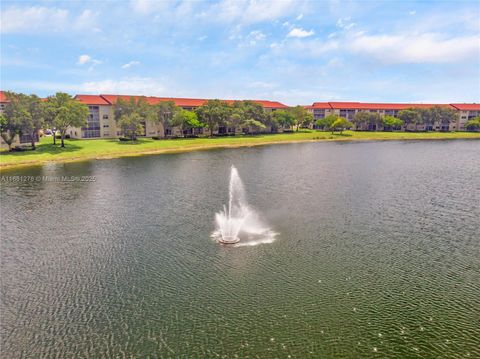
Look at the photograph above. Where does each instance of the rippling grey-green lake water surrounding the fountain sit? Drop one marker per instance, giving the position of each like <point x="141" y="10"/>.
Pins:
<point x="377" y="255"/>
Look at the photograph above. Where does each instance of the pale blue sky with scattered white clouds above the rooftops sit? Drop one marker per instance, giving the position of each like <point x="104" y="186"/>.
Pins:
<point x="292" y="51"/>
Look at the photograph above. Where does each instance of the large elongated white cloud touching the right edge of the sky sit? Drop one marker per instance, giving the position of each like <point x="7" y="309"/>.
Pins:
<point x="416" y="48"/>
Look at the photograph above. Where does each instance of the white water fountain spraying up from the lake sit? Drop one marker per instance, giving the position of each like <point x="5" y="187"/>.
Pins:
<point x="239" y="218"/>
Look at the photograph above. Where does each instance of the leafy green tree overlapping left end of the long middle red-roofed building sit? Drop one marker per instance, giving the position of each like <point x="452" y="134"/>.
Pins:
<point x="63" y="112"/>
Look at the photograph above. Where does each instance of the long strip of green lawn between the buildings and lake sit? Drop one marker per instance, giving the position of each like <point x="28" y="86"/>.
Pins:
<point x="94" y="149"/>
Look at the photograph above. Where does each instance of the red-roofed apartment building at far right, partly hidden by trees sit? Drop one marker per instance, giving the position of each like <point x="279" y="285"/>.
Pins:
<point x="349" y="109"/>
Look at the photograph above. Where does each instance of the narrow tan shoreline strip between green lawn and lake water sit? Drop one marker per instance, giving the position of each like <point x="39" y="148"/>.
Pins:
<point x="206" y="147"/>
